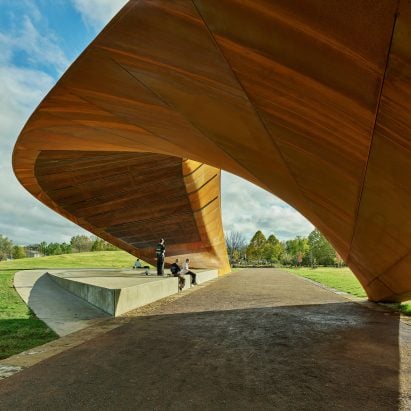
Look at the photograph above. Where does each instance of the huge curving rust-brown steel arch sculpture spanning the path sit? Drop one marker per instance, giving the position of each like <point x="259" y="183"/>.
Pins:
<point x="310" y="100"/>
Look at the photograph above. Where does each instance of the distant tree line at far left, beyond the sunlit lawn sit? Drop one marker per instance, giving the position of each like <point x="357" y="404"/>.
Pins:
<point x="77" y="244"/>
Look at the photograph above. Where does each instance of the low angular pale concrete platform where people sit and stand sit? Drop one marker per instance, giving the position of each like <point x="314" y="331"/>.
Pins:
<point x="118" y="291"/>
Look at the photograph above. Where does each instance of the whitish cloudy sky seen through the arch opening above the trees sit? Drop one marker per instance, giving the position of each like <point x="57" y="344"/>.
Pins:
<point x="248" y="208"/>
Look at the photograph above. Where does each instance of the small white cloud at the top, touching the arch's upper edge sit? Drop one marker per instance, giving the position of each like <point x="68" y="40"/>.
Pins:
<point x="97" y="13"/>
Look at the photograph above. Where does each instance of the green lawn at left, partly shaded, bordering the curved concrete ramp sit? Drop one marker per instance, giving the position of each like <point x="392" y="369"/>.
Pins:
<point x="20" y="329"/>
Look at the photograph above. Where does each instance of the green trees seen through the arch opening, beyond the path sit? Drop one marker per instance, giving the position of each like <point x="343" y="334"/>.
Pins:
<point x="301" y="251"/>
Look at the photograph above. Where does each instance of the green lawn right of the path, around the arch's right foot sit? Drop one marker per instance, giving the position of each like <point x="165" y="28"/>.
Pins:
<point x="341" y="279"/>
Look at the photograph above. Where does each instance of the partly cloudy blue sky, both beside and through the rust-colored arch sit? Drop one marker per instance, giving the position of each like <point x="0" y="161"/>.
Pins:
<point x="39" y="39"/>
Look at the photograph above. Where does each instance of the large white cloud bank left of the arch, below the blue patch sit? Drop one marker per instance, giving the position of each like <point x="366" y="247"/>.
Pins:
<point x="23" y="218"/>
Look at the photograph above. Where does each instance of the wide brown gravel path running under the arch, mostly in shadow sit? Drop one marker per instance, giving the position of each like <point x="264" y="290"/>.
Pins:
<point x="259" y="339"/>
